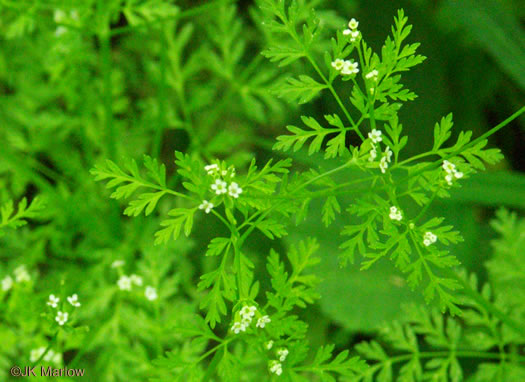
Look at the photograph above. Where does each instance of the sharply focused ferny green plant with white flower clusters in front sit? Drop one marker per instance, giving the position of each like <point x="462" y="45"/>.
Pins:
<point x="251" y="330"/>
